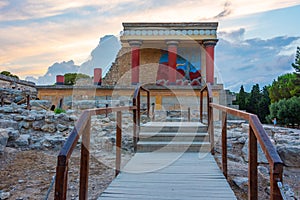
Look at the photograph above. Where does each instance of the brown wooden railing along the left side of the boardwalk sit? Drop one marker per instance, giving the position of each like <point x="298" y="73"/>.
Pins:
<point x="82" y="129"/>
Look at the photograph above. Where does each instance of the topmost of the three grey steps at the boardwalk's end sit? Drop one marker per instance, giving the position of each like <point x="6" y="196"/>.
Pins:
<point x="183" y="127"/>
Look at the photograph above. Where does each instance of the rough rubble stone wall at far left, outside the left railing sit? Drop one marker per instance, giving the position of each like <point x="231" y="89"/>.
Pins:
<point x="33" y="129"/>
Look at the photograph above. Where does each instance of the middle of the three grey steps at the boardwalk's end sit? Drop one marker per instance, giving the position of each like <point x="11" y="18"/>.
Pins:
<point x="171" y="136"/>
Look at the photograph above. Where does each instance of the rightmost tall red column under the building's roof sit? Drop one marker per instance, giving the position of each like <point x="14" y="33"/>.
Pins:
<point x="210" y="51"/>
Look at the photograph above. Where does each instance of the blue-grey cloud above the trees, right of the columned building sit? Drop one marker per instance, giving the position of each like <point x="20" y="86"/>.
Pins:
<point x="250" y="61"/>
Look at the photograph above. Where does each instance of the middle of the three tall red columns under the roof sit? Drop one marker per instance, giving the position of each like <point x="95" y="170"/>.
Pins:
<point x="172" y="57"/>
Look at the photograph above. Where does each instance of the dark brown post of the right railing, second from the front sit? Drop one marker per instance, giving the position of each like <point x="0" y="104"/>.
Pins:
<point x="252" y="168"/>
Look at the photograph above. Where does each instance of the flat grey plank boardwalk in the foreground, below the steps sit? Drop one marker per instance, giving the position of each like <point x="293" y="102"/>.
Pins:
<point x="169" y="176"/>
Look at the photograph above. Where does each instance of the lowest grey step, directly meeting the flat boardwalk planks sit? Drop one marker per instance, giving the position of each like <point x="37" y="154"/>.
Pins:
<point x="150" y="146"/>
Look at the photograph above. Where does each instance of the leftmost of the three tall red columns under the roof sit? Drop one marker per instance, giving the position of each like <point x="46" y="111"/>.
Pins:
<point x="135" y="61"/>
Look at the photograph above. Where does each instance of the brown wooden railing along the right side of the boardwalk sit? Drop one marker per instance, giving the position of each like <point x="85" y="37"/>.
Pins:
<point x="256" y="133"/>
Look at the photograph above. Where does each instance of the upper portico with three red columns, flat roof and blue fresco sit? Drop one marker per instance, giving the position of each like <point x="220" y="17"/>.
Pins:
<point x="165" y="54"/>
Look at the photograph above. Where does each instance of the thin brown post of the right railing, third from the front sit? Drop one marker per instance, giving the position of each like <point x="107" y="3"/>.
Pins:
<point x="224" y="143"/>
